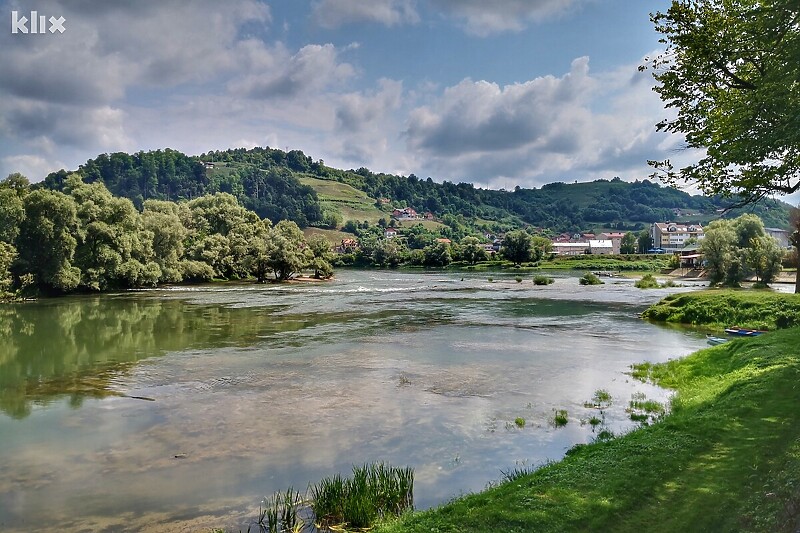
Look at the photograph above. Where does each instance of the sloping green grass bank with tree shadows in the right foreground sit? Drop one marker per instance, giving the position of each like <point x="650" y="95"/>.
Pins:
<point x="726" y="458"/>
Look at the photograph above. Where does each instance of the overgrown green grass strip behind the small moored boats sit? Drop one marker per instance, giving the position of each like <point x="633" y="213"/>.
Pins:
<point x="723" y="308"/>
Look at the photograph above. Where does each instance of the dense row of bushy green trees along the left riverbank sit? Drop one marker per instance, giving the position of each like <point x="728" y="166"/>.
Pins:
<point x="83" y="238"/>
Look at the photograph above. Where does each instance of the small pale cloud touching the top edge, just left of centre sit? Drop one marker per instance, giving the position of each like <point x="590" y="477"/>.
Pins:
<point x="335" y="13"/>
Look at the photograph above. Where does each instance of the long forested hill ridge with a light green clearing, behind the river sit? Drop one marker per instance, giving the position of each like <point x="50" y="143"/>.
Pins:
<point x="271" y="183"/>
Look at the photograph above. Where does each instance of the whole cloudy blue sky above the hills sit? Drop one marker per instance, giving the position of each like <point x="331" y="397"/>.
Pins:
<point x="500" y="94"/>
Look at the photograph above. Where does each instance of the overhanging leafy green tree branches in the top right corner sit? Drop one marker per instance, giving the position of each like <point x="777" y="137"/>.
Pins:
<point x="730" y="71"/>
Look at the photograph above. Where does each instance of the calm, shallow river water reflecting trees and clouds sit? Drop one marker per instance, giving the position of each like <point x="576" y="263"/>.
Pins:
<point x="180" y="408"/>
